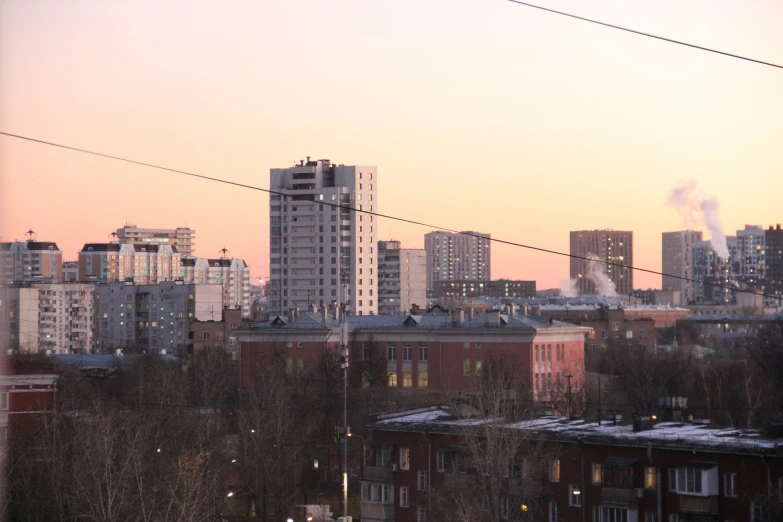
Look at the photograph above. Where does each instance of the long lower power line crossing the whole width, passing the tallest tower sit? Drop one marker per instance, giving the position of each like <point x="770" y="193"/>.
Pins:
<point x="394" y="218"/>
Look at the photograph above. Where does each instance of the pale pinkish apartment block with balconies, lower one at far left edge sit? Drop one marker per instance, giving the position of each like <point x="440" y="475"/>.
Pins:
<point x="46" y="317"/>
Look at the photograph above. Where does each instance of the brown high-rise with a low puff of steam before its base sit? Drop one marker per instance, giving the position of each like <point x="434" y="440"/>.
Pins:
<point x="607" y="246"/>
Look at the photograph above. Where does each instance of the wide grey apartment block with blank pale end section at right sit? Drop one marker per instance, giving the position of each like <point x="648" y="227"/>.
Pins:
<point x="152" y="318"/>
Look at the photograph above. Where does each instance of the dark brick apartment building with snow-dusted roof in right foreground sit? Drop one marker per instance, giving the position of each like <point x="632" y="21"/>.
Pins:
<point x="642" y="471"/>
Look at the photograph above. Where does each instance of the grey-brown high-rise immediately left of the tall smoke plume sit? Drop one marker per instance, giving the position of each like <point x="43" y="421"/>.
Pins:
<point x="677" y="262"/>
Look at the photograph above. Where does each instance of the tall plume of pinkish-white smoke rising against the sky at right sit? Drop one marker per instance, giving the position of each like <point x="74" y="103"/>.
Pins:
<point x="697" y="209"/>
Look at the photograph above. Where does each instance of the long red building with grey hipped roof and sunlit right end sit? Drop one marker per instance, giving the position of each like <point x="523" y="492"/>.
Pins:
<point x="434" y="351"/>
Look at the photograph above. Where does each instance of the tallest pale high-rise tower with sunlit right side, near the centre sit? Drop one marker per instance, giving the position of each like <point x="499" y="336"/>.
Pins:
<point x="317" y="250"/>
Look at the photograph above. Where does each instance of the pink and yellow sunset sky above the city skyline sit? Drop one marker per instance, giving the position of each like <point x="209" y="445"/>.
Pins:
<point x="480" y="115"/>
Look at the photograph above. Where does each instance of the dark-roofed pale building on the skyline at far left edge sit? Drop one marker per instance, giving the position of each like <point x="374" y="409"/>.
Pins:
<point x="31" y="260"/>
